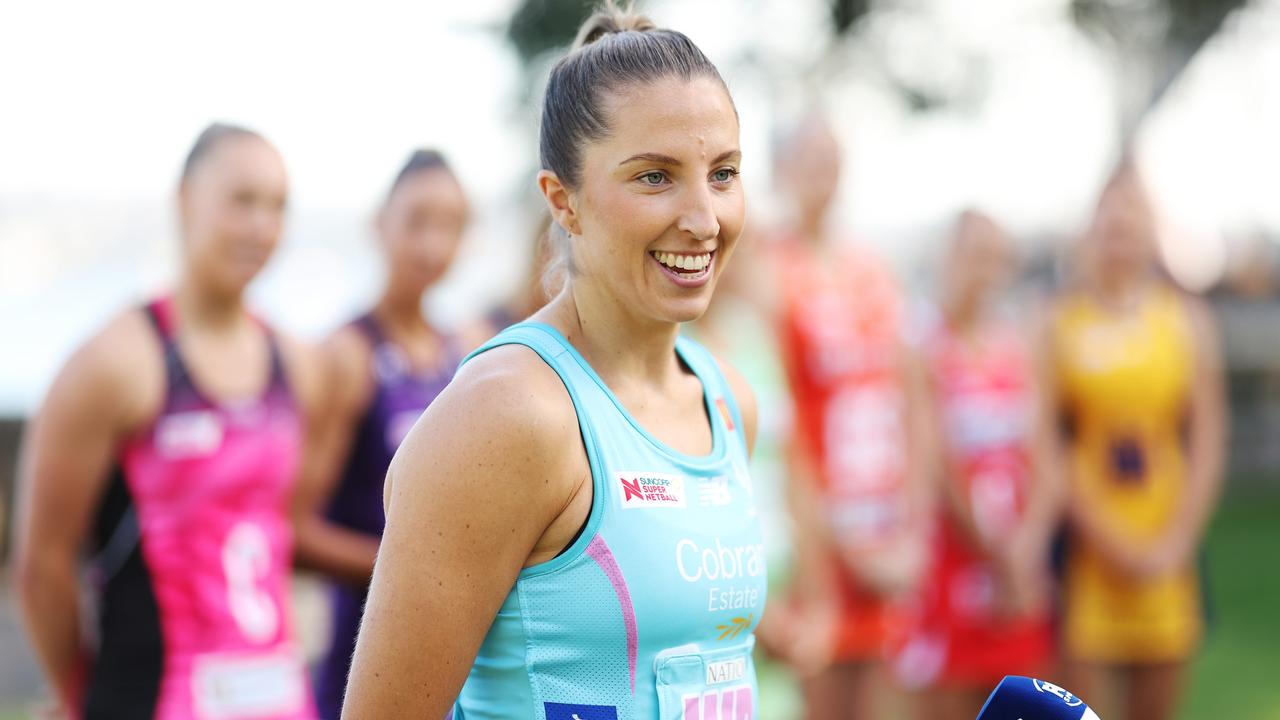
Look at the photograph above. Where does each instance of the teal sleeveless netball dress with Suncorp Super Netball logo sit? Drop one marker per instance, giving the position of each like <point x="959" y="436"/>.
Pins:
<point x="651" y="613"/>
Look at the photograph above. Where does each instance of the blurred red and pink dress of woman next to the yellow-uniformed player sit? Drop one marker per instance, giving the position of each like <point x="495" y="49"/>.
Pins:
<point x="984" y="390"/>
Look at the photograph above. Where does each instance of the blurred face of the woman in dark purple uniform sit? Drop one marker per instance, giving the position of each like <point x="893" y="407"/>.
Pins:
<point x="422" y="227"/>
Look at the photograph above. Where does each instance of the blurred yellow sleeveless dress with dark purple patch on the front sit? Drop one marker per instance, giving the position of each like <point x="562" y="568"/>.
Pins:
<point x="1126" y="382"/>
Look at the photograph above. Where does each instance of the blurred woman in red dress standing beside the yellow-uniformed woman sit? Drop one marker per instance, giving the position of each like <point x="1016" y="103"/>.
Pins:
<point x="985" y="605"/>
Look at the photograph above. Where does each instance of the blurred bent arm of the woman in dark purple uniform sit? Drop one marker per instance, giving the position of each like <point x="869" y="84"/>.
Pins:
<point x="336" y="390"/>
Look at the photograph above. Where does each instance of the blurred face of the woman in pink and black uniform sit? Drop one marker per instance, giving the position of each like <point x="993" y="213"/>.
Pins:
<point x="232" y="208"/>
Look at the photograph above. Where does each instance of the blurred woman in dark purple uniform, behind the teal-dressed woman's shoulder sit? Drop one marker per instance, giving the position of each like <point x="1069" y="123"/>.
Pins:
<point x="385" y="370"/>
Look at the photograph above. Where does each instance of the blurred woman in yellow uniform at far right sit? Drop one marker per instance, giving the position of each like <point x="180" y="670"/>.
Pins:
<point x="1140" y="390"/>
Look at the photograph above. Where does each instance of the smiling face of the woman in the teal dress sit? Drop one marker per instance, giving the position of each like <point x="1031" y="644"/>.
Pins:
<point x="661" y="204"/>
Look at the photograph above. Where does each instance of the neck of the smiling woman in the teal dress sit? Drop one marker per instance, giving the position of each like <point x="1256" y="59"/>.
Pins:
<point x="618" y="343"/>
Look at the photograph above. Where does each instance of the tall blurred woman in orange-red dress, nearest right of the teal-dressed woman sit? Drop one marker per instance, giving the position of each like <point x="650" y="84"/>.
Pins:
<point x="856" y="449"/>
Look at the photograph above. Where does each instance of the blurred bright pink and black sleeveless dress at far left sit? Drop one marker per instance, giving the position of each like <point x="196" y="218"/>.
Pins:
<point x="194" y="558"/>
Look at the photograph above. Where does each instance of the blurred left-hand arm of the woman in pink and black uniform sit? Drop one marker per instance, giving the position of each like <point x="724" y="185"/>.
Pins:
<point x="66" y="461"/>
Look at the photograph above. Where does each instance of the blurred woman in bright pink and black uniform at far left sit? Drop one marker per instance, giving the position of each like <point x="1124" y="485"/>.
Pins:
<point x="166" y="453"/>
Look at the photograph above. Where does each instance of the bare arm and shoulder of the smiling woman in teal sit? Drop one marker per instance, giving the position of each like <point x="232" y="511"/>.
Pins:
<point x="472" y="496"/>
